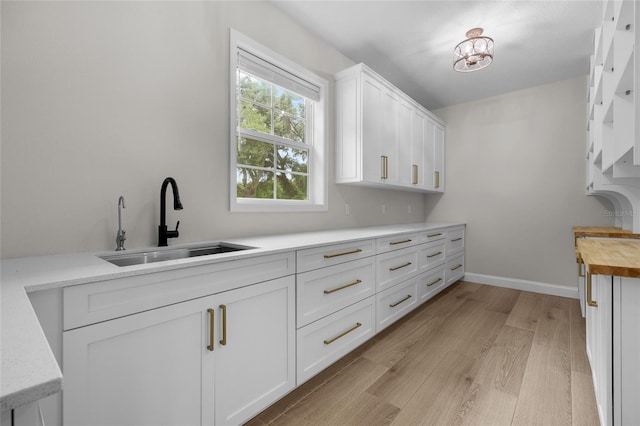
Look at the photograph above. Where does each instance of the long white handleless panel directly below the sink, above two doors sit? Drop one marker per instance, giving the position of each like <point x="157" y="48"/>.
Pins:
<point x="101" y="301"/>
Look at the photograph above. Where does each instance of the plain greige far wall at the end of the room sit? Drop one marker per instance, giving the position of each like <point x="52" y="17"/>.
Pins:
<point x="516" y="176"/>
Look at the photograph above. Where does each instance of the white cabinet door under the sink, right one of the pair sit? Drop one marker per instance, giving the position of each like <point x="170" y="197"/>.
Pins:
<point x="254" y="349"/>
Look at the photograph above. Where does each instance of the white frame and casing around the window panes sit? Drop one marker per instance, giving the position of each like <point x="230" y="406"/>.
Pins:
<point x="317" y="167"/>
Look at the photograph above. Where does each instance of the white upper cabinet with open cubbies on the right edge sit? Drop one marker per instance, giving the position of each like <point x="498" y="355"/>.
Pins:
<point x="613" y="144"/>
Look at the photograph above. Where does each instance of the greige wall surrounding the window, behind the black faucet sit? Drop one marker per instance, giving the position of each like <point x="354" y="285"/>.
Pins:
<point x="107" y="99"/>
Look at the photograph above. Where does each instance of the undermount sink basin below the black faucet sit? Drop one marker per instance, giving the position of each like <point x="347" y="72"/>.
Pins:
<point x="139" y="258"/>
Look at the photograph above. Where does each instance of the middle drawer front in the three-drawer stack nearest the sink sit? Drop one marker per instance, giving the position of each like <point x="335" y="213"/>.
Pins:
<point x="324" y="291"/>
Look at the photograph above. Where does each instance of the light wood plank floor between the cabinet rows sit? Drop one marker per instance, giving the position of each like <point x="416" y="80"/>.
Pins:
<point x="474" y="354"/>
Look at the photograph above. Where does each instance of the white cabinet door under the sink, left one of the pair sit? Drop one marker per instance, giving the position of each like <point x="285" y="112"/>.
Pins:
<point x="146" y="368"/>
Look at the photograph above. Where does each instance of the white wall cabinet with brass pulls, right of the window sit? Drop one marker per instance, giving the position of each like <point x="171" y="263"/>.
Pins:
<point x="383" y="137"/>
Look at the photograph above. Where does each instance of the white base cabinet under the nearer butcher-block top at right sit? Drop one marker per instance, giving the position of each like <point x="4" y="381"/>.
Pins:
<point x="613" y="346"/>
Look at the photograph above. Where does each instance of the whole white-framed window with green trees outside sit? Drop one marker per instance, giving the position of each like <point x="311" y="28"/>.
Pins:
<point x="278" y="149"/>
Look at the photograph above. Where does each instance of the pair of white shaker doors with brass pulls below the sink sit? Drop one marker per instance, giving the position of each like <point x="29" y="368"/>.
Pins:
<point x="219" y="359"/>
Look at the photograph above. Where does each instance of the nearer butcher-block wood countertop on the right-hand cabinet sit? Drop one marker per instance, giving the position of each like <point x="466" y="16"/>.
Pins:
<point x="611" y="257"/>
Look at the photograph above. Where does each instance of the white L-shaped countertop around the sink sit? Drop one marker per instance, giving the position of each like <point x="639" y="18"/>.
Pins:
<point x="29" y="370"/>
